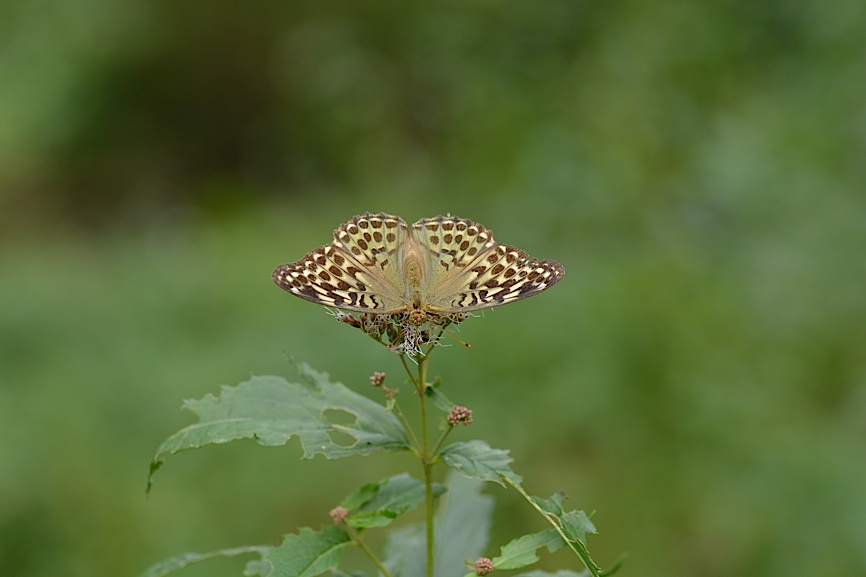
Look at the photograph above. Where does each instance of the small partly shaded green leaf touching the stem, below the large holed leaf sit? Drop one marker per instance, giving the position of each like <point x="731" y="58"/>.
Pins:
<point x="385" y="501"/>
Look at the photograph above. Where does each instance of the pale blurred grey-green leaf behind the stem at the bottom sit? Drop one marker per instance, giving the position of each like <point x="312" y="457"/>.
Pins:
<point x="462" y="529"/>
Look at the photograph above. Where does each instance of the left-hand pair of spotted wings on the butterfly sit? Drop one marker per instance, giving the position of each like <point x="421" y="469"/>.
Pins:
<point x="360" y="271"/>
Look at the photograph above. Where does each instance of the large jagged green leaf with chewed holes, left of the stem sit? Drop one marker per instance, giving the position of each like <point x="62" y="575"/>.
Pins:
<point x="272" y="410"/>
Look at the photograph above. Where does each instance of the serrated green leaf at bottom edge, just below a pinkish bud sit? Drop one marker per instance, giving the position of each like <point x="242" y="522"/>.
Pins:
<point x="306" y="554"/>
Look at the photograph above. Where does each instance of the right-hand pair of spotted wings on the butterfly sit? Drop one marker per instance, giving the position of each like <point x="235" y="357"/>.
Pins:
<point x="468" y="270"/>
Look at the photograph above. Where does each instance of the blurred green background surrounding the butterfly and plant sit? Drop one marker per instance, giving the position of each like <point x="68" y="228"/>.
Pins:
<point x="698" y="378"/>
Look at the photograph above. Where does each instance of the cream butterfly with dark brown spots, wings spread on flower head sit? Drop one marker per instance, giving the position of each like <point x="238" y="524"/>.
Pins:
<point x="435" y="268"/>
